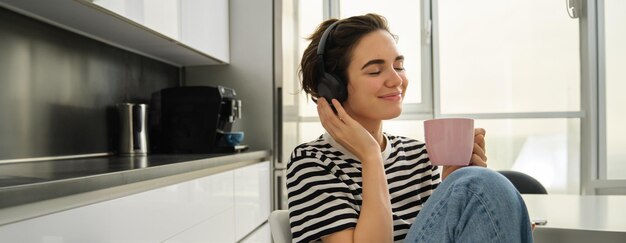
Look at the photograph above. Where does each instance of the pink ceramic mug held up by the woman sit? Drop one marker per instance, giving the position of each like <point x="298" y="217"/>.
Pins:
<point x="449" y="141"/>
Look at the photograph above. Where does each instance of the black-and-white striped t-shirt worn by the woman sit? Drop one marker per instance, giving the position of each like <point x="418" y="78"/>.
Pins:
<point x="324" y="186"/>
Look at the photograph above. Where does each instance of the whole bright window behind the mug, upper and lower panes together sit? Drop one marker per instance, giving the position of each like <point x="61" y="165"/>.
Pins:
<point x="514" y="66"/>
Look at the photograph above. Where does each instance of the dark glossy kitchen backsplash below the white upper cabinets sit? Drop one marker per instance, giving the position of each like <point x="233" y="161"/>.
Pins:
<point x="58" y="89"/>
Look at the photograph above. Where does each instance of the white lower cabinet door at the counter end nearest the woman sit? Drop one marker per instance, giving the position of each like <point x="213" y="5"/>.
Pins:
<point x="252" y="197"/>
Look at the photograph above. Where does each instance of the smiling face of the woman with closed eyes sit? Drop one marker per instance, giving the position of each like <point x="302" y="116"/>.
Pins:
<point x="376" y="78"/>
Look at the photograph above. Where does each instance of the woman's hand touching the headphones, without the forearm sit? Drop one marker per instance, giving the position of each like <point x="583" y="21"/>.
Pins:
<point x="346" y="131"/>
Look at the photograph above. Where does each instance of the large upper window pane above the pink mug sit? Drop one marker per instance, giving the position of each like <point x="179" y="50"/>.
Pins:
<point x="502" y="56"/>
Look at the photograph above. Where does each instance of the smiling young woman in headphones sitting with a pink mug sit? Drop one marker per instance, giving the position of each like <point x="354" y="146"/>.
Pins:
<point x="356" y="183"/>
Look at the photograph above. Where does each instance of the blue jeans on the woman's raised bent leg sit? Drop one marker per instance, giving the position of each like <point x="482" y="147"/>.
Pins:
<point x="473" y="204"/>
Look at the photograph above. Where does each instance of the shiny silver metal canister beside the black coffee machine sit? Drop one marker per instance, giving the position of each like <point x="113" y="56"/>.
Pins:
<point x="133" y="129"/>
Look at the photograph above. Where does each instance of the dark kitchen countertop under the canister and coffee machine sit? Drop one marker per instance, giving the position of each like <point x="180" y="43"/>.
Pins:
<point x="32" y="189"/>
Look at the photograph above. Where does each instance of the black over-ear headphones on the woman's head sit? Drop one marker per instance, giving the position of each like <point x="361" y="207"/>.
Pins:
<point x="329" y="85"/>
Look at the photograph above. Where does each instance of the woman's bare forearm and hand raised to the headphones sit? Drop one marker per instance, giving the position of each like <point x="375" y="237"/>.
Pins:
<point x="375" y="222"/>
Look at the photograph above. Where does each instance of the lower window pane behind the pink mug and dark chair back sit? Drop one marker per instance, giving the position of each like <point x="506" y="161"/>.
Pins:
<point x="546" y="149"/>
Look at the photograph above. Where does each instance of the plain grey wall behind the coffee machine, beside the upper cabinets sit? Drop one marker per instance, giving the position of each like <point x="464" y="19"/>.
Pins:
<point x="250" y="71"/>
